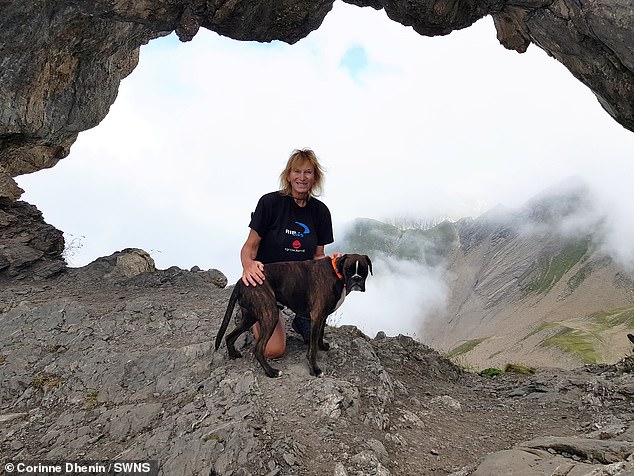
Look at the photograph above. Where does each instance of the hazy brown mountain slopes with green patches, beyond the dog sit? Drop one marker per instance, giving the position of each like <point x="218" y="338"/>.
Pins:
<point x="531" y="286"/>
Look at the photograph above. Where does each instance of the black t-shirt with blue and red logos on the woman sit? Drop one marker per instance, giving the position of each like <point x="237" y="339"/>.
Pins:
<point x="290" y="232"/>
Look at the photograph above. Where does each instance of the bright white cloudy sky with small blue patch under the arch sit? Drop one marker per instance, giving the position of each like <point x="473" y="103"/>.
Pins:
<point x="405" y="126"/>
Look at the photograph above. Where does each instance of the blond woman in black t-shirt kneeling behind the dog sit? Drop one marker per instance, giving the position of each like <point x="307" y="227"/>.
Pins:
<point x="288" y="225"/>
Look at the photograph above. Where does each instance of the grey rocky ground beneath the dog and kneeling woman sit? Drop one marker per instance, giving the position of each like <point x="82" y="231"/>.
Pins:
<point x="96" y="364"/>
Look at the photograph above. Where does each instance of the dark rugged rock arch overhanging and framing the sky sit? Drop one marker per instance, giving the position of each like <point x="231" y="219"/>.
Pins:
<point x="62" y="61"/>
